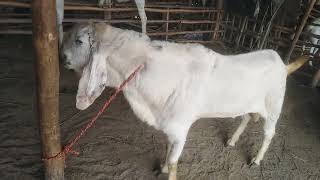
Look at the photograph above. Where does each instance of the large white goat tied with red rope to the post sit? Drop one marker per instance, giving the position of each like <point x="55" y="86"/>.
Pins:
<point x="179" y="84"/>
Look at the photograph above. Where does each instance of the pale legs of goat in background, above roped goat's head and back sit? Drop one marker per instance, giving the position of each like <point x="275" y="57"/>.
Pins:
<point x="60" y="14"/>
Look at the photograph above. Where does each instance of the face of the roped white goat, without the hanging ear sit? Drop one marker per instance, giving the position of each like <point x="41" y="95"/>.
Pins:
<point x="78" y="45"/>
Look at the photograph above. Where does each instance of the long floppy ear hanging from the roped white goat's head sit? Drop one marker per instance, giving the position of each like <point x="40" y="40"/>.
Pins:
<point x="92" y="81"/>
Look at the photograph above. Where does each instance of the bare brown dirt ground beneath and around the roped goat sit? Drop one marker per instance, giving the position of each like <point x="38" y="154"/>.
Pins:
<point x="121" y="147"/>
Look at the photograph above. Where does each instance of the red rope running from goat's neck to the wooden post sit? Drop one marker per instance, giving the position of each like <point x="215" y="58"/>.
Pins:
<point x="68" y="148"/>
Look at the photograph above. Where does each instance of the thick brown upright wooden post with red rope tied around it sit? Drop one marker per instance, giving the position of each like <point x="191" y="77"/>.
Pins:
<point x="47" y="65"/>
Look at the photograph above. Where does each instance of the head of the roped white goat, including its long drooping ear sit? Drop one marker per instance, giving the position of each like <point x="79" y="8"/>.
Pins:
<point x="80" y="51"/>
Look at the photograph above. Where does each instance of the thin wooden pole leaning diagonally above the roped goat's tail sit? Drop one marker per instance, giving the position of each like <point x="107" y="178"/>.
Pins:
<point x="299" y="30"/>
